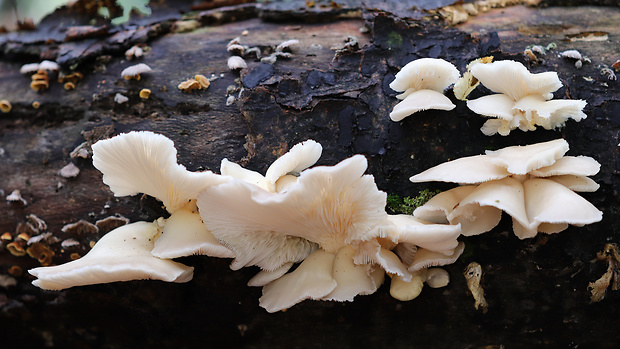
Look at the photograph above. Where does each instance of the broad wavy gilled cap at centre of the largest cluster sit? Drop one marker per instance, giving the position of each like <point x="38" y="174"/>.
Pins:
<point x="330" y="206"/>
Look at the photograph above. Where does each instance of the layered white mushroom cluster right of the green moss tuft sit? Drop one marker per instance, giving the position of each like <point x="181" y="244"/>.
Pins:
<point x="535" y="184"/>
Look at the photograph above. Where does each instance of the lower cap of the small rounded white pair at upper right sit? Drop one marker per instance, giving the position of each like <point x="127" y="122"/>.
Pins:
<point x="420" y="100"/>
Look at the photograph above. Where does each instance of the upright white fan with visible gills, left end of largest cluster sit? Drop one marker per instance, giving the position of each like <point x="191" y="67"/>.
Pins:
<point x="145" y="162"/>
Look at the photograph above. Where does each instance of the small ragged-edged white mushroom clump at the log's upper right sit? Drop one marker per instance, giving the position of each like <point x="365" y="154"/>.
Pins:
<point x="523" y="100"/>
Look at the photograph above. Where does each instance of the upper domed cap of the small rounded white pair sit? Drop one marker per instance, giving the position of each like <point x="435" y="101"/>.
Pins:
<point x="425" y="74"/>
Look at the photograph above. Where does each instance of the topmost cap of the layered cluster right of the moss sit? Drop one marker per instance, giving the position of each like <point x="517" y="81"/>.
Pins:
<point x="523" y="159"/>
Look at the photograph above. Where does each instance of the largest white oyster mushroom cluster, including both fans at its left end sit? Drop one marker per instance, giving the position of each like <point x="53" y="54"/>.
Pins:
<point x="332" y="219"/>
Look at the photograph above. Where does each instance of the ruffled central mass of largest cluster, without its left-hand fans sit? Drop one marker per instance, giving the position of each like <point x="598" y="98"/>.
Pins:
<point x="332" y="219"/>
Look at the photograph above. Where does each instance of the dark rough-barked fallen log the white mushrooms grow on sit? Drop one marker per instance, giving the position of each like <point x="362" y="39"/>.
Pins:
<point x="536" y="288"/>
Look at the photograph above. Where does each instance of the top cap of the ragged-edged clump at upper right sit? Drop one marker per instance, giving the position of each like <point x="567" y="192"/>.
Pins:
<point x="514" y="80"/>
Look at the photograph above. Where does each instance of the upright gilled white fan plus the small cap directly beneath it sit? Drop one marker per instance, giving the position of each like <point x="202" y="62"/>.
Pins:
<point x="145" y="162"/>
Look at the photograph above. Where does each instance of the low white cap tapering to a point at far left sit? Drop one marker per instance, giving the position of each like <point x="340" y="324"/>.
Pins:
<point x="121" y="255"/>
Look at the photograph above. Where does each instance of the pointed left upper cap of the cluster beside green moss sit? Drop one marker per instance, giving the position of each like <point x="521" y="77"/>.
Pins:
<point x="468" y="170"/>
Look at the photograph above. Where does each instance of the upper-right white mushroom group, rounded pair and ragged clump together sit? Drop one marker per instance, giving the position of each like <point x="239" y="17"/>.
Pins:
<point x="523" y="100"/>
